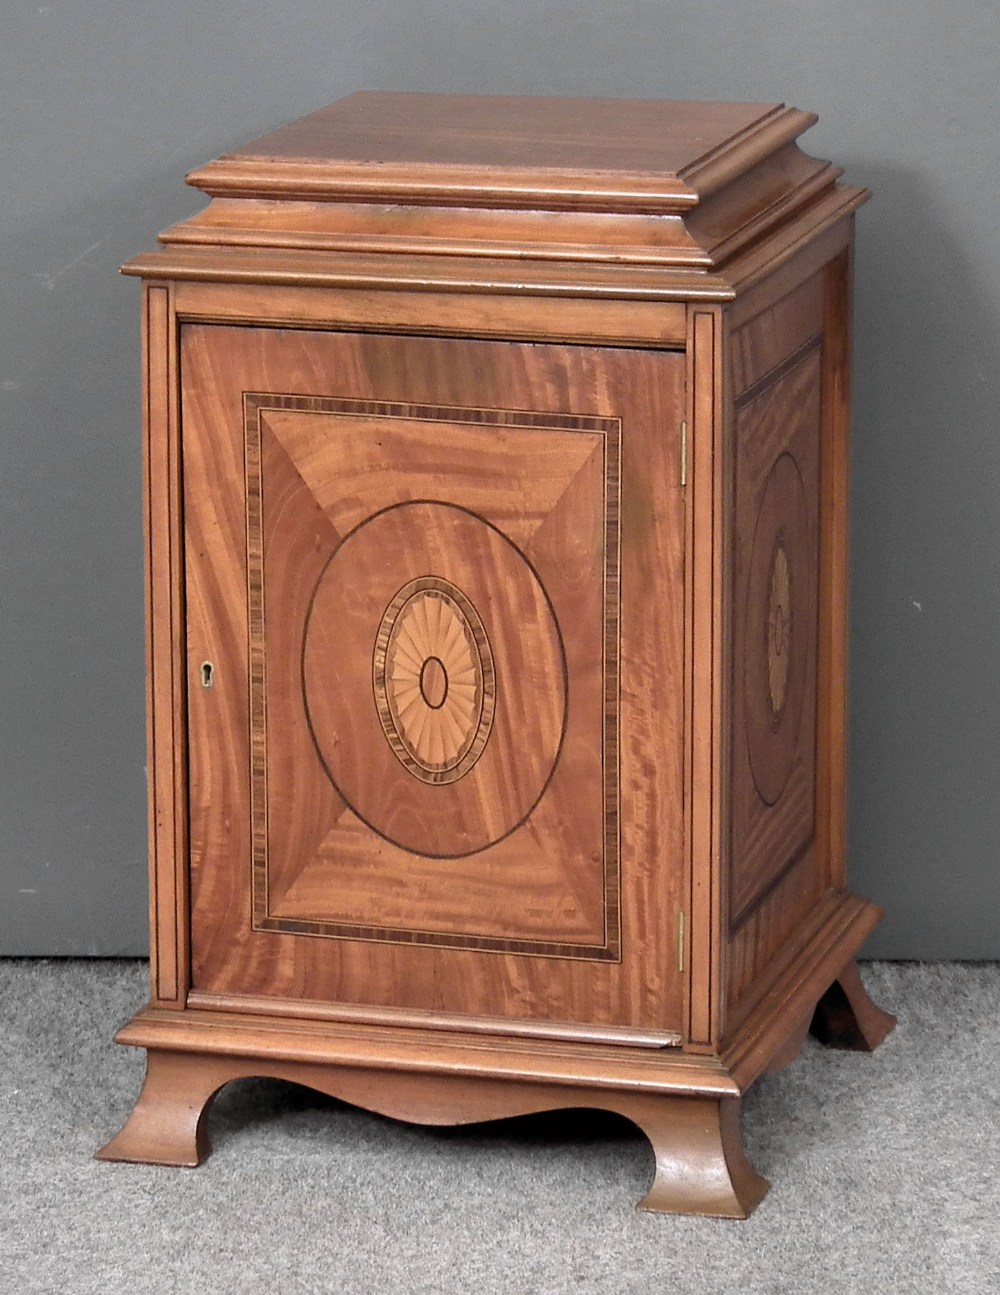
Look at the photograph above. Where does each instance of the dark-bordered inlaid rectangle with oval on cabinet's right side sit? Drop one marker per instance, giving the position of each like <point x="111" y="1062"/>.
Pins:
<point x="774" y="682"/>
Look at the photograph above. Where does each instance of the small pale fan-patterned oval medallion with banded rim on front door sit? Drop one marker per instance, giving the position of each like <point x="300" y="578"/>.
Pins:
<point x="435" y="681"/>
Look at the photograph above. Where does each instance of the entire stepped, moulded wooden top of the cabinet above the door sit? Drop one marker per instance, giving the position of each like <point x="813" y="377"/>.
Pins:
<point x="550" y="196"/>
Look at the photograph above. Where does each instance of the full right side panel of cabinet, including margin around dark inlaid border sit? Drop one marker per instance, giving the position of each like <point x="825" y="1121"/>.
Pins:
<point x="779" y="832"/>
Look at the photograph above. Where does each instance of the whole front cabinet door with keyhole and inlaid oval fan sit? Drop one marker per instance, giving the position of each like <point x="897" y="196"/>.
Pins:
<point x="440" y="586"/>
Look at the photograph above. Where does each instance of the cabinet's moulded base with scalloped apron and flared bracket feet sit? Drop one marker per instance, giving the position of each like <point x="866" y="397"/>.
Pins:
<point x="688" y="1107"/>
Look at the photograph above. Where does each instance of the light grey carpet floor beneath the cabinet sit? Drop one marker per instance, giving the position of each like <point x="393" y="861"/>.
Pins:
<point x="885" y="1173"/>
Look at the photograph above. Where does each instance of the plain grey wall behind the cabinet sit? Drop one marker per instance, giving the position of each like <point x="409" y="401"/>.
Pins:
<point x="104" y="104"/>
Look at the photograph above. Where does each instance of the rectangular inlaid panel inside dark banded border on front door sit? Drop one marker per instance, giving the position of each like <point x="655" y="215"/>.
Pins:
<point x="410" y="827"/>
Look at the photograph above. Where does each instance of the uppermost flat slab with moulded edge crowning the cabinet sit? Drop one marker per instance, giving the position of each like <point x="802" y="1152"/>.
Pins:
<point x="486" y="151"/>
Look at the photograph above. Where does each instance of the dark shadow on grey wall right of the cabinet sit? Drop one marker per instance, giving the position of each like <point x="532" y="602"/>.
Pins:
<point x="926" y="688"/>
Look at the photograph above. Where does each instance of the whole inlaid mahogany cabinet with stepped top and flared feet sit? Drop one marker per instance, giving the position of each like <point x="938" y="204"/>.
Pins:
<point x="497" y="469"/>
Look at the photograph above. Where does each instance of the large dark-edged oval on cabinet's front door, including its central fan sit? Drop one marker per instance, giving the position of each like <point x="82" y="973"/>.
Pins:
<point x="441" y="782"/>
